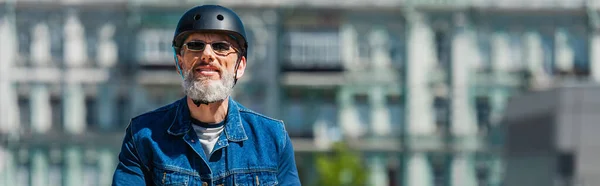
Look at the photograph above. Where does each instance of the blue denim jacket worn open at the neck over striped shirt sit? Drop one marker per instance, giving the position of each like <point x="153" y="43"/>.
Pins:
<point x="161" y="148"/>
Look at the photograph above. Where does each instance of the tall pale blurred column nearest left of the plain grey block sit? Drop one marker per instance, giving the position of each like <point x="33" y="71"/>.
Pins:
<point x="465" y="55"/>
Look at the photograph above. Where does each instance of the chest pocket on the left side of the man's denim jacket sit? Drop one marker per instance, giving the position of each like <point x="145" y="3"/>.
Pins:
<point x="169" y="177"/>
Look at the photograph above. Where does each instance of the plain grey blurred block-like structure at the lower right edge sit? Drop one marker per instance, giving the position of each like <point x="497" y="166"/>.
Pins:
<point x="564" y="150"/>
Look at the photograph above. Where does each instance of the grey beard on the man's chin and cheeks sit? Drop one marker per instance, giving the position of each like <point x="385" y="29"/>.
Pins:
<point x="206" y="90"/>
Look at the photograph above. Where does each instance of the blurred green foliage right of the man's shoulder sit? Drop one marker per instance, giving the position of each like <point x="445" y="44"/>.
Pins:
<point x="341" y="167"/>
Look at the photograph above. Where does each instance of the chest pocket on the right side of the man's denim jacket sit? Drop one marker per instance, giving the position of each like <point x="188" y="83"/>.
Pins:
<point x="263" y="178"/>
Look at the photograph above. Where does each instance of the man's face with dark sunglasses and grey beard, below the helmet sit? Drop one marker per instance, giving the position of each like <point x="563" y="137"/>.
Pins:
<point x="208" y="62"/>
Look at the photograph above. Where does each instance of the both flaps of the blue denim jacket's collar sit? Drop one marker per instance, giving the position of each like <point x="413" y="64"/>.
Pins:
<point x="234" y="130"/>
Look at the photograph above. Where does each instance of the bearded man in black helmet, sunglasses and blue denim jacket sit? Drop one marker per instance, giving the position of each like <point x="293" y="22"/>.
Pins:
<point x="206" y="138"/>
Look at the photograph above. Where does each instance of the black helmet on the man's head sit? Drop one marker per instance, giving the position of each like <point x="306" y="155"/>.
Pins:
<point x="210" y="18"/>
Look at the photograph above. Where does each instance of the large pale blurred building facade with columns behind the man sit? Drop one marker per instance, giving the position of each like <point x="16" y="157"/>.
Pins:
<point x="417" y="86"/>
